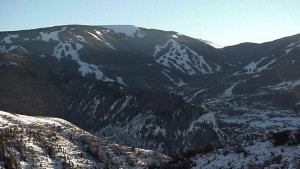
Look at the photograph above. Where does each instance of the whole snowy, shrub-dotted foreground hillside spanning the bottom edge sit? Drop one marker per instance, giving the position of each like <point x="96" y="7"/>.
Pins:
<point x="42" y="142"/>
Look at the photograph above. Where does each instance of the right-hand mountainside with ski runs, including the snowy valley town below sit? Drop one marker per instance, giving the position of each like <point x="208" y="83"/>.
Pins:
<point x="254" y="97"/>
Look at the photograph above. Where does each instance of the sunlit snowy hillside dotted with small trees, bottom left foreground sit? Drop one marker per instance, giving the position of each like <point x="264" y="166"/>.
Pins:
<point x="40" y="142"/>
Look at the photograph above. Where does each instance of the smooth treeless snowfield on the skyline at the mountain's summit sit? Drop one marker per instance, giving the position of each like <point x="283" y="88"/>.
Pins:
<point x="129" y="30"/>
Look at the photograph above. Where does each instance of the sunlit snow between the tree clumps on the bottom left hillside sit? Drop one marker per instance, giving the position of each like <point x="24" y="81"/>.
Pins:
<point x="66" y="139"/>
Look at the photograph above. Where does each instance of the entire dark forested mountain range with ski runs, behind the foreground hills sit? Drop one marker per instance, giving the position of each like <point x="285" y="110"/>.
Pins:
<point x="149" y="88"/>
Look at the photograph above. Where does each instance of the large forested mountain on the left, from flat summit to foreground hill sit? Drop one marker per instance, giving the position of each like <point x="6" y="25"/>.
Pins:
<point x="113" y="87"/>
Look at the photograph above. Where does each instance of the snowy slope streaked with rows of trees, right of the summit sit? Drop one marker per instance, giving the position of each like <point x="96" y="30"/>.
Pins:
<point x="181" y="57"/>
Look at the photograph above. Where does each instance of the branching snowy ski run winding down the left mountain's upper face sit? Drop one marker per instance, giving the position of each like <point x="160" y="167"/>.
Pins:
<point x="84" y="68"/>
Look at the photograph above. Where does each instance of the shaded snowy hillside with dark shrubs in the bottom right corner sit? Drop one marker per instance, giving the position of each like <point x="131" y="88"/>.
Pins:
<point x="281" y="150"/>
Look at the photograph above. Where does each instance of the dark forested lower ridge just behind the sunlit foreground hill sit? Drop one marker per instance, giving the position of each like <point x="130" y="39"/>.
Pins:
<point x="137" y="118"/>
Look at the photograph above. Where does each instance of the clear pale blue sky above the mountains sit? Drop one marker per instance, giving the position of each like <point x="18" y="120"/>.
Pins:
<point x="224" y="22"/>
